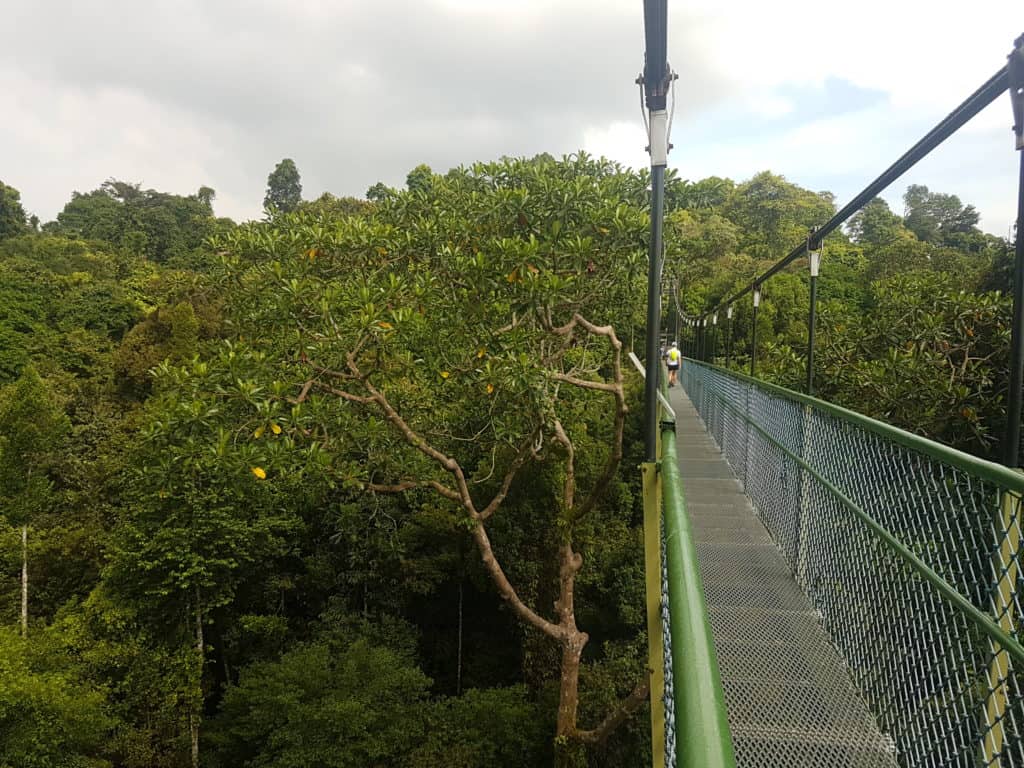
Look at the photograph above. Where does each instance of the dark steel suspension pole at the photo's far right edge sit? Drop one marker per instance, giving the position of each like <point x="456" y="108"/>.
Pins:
<point x="1011" y="448"/>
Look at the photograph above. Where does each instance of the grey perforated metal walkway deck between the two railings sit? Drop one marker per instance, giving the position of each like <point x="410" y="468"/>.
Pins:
<point x="790" y="700"/>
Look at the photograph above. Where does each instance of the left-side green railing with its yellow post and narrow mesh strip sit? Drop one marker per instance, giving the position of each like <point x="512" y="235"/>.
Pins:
<point x="688" y="702"/>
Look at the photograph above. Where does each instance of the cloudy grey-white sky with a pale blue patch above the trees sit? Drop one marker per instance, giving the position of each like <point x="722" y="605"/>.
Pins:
<point x="191" y="93"/>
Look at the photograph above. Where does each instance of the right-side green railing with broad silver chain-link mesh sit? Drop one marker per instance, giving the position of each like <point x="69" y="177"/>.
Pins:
<point x="910" y="551"/>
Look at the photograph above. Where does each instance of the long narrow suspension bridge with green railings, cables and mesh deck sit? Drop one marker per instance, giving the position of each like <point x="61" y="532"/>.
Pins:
<point x="824" y="589"/>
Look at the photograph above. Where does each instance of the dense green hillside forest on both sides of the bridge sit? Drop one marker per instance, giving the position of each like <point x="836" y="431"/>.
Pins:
<point x="357" y="485"/>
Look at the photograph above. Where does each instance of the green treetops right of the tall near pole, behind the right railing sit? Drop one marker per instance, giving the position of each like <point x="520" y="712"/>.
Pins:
<point x="915" y="318"/>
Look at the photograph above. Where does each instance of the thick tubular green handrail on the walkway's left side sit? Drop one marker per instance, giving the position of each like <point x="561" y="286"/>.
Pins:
<point x="703" y="738"/>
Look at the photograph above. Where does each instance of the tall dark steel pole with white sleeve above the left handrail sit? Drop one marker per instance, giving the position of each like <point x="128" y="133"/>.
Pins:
<point x="656" y="81"/>
